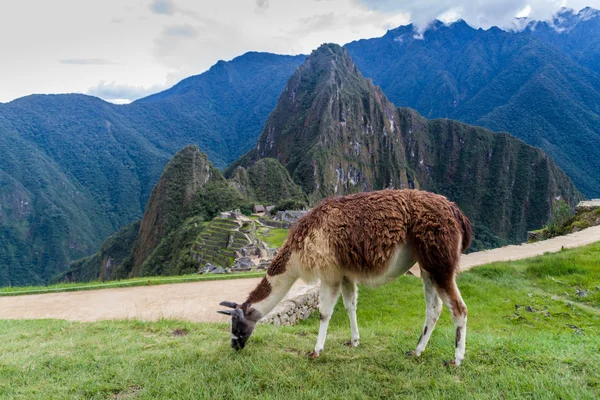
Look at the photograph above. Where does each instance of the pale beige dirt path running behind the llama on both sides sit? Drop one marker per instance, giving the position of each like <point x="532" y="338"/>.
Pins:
<point x="198" y="301"/>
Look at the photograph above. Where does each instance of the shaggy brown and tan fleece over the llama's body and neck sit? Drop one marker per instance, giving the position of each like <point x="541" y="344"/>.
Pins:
<point x="362" y="231"/>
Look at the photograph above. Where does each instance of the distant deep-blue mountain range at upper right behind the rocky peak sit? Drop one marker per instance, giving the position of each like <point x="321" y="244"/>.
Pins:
<point x="541" y="84"/>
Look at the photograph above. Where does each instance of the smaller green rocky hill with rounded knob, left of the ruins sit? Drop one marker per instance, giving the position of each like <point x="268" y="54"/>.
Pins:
<point x="189" y="193"/>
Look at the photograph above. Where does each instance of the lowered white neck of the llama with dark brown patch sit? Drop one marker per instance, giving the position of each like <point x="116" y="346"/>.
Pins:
<point x="274" y="286"/>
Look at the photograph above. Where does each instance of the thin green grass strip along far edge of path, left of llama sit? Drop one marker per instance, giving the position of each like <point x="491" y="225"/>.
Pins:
<point x="159" y="280"/>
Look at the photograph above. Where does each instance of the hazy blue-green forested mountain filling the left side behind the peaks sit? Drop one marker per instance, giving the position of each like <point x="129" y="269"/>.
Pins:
<point x="74" y="169"/>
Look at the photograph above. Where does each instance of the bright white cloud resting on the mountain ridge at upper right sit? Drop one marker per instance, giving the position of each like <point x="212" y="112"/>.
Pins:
<point x="483" y="13"/>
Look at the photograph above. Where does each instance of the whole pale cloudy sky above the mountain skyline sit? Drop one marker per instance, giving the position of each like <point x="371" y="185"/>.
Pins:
<point x="121" y="50"/>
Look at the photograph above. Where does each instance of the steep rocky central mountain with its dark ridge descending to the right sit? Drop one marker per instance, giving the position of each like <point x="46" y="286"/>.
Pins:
<point x="337" y="133"/>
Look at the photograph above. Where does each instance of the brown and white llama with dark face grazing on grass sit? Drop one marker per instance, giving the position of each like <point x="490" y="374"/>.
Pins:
<point x="367" y="238"/>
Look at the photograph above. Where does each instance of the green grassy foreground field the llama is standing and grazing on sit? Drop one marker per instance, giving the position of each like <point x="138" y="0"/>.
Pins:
<point x="525" y="340"/>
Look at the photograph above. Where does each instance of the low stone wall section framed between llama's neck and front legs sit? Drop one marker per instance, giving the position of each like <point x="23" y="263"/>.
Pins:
<point x="295" y="308"/>
